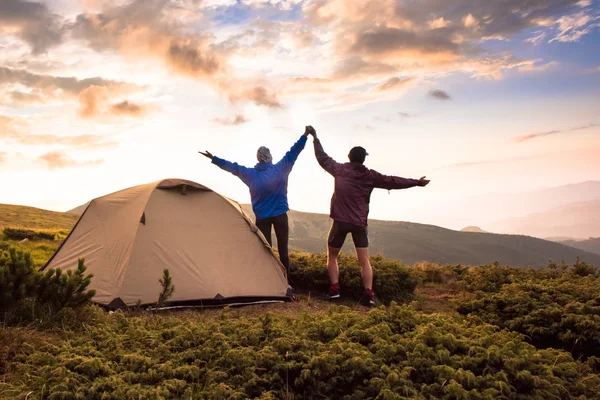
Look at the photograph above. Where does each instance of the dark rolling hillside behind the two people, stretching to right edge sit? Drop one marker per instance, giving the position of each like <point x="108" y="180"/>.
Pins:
<point x="411" y="243"/>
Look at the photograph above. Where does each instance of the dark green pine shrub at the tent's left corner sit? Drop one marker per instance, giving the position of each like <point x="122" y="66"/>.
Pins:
<point x="27" y="294"/>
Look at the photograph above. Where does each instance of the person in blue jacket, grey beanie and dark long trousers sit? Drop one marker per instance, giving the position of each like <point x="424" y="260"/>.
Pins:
<point x="268" y="191"/>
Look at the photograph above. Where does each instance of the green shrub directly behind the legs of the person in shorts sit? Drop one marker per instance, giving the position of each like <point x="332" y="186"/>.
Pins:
<point x="391" y="281"/>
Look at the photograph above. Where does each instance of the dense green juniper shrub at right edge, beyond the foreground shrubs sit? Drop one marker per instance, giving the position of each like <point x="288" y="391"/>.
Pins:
<point x="554" y="307"/>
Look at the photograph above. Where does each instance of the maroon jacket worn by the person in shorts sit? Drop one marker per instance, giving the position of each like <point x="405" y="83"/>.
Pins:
<point x="353" y="186"/>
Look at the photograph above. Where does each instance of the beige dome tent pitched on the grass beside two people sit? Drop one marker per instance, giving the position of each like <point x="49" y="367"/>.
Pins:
<point x="213" y="251"/>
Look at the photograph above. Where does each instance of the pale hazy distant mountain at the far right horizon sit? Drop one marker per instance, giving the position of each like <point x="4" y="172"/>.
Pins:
<point x="581" y="219"/>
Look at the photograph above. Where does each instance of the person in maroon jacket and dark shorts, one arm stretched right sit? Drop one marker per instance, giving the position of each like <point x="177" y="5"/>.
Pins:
<point x="350" y="209"/>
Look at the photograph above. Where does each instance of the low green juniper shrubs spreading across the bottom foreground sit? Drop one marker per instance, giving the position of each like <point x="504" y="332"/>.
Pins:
<point x="393" y="353"/>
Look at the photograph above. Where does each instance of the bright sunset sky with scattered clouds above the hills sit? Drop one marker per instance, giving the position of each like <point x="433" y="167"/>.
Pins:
<point x="480" y="97"/>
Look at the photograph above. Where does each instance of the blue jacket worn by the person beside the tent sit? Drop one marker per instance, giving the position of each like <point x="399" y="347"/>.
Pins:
<point x="267" y="181"/>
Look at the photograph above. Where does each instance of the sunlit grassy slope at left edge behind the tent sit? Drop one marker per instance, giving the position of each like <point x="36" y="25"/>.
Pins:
<point x="34" y="218"/>
